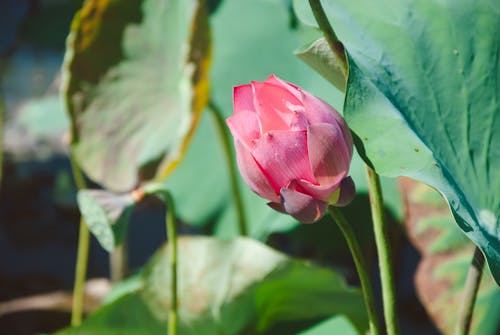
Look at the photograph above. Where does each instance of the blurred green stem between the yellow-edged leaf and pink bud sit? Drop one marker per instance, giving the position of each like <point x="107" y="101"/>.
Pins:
<point x="226" y="144"/>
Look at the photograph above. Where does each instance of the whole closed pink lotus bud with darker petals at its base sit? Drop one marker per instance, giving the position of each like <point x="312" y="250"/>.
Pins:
<point x="292" y="148"/>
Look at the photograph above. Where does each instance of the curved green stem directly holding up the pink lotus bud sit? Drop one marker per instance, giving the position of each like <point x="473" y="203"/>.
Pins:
<point x="360" y="263"/>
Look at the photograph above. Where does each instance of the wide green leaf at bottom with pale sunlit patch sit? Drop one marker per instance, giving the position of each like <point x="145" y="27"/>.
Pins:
<point x="227" y="287"/>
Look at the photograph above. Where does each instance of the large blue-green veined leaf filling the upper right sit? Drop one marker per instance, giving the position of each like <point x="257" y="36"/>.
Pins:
<point x="422" y="97"/>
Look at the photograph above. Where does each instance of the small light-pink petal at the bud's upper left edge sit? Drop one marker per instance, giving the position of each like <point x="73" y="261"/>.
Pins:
<point x="245" y="127"/>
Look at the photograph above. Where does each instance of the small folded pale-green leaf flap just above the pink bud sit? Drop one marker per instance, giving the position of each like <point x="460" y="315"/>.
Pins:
<point x="320" y="57"/>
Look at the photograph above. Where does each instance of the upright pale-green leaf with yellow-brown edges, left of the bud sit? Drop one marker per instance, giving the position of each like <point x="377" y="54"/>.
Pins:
<point x="135" y="81"/>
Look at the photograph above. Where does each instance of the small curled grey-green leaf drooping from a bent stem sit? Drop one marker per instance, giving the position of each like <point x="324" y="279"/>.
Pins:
<point x="106" y="214"/>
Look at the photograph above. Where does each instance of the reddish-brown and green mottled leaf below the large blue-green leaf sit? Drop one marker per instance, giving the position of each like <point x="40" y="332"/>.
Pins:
<point x="446" y="255"/>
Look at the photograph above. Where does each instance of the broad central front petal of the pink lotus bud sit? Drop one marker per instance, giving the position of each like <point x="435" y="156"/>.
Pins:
<point x="282" y="155"/>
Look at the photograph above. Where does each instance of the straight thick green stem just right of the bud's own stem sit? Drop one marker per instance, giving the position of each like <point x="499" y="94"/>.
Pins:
<point x="382" y="241"/>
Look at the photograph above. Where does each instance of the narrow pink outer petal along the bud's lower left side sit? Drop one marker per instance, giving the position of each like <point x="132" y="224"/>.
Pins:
<point x="252" y="173"/>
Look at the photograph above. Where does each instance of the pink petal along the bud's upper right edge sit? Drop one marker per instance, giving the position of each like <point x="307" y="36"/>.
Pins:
<point x="318" y="111"/>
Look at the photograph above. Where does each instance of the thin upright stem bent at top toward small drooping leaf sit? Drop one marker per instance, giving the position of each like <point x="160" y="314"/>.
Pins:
<point x="172" y="238"/>
